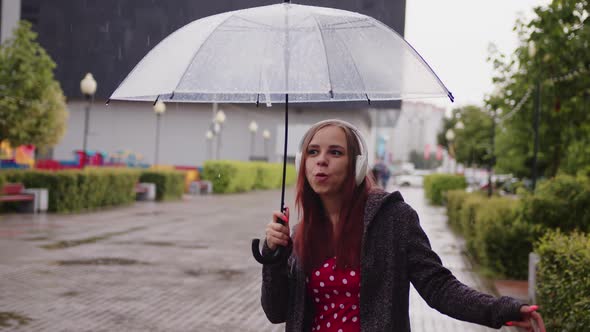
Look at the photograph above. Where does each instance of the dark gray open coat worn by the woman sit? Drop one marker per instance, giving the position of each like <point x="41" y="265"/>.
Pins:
<point x="395" y="251"/>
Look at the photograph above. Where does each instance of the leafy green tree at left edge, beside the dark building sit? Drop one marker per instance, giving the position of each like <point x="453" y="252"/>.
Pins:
<point x="32" y="104"/>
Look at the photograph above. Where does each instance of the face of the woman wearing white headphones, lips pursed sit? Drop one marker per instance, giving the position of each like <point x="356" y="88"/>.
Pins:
<point x="326" y="164"/>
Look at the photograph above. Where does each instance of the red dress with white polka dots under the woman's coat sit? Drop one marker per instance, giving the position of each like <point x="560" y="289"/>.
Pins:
<point x="336" y="295"/>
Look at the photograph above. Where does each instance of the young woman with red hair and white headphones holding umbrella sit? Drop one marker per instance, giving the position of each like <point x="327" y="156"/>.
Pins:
<point x="356" y="250"/>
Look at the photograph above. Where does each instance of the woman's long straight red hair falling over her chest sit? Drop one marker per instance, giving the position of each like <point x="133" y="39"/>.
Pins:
<point x="315" y="239"/>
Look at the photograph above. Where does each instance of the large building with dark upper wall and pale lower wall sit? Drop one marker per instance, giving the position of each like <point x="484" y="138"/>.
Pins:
<point x="107" y="38"/>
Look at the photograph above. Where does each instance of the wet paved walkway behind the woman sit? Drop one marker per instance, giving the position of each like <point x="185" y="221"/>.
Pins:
<point x="180" y="266"/>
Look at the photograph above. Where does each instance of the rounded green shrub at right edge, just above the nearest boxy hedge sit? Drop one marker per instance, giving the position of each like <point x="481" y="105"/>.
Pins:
<point x="562" y="202"/>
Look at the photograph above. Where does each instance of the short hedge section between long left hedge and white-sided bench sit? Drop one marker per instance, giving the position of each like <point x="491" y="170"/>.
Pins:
<point x="169" y="183"/>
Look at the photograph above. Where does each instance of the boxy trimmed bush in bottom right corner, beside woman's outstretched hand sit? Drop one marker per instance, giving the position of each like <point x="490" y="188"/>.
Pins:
<point x="563" y="281"/>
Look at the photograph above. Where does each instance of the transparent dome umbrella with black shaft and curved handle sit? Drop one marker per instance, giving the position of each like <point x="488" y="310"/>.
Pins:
<point x="283" y="53"/>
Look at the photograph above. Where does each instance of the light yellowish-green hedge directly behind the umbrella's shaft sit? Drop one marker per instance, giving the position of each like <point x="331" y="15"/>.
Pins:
<point x="230" y="176"/>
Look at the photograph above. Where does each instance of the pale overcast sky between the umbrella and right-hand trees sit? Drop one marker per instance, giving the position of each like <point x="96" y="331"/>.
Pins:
<point x="453" y="37"/>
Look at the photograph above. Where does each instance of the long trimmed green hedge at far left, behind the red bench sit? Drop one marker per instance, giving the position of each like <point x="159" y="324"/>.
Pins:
<point x="78" y="190"/>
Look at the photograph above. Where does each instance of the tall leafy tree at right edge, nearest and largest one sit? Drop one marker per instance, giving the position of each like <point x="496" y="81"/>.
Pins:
<point x="553" y="52"/>
